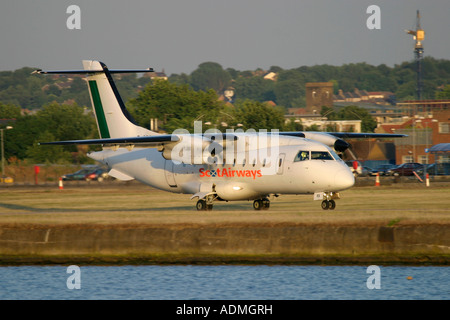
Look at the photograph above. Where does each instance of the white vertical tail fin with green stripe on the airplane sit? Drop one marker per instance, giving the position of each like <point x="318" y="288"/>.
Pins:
<point x="113" y="119"/>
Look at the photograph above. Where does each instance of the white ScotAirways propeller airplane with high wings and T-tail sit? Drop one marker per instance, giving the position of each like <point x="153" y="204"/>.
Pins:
<point x="213" y="166"/>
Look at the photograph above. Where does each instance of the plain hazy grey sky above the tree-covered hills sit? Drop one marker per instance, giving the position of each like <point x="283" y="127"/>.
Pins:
<point x="178" y="35"/>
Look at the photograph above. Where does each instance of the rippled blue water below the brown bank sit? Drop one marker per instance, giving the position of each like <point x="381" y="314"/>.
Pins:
<point x="223" y="283"/>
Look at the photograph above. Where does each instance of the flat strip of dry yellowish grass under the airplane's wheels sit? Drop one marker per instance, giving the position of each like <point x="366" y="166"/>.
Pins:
<point x="139" y="204"/>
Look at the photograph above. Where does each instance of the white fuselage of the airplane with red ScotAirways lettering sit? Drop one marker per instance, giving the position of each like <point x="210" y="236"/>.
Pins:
<point x="247" y="179"/>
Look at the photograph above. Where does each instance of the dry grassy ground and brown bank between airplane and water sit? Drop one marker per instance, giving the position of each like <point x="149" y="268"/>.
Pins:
<point x="116" y="223"/>
